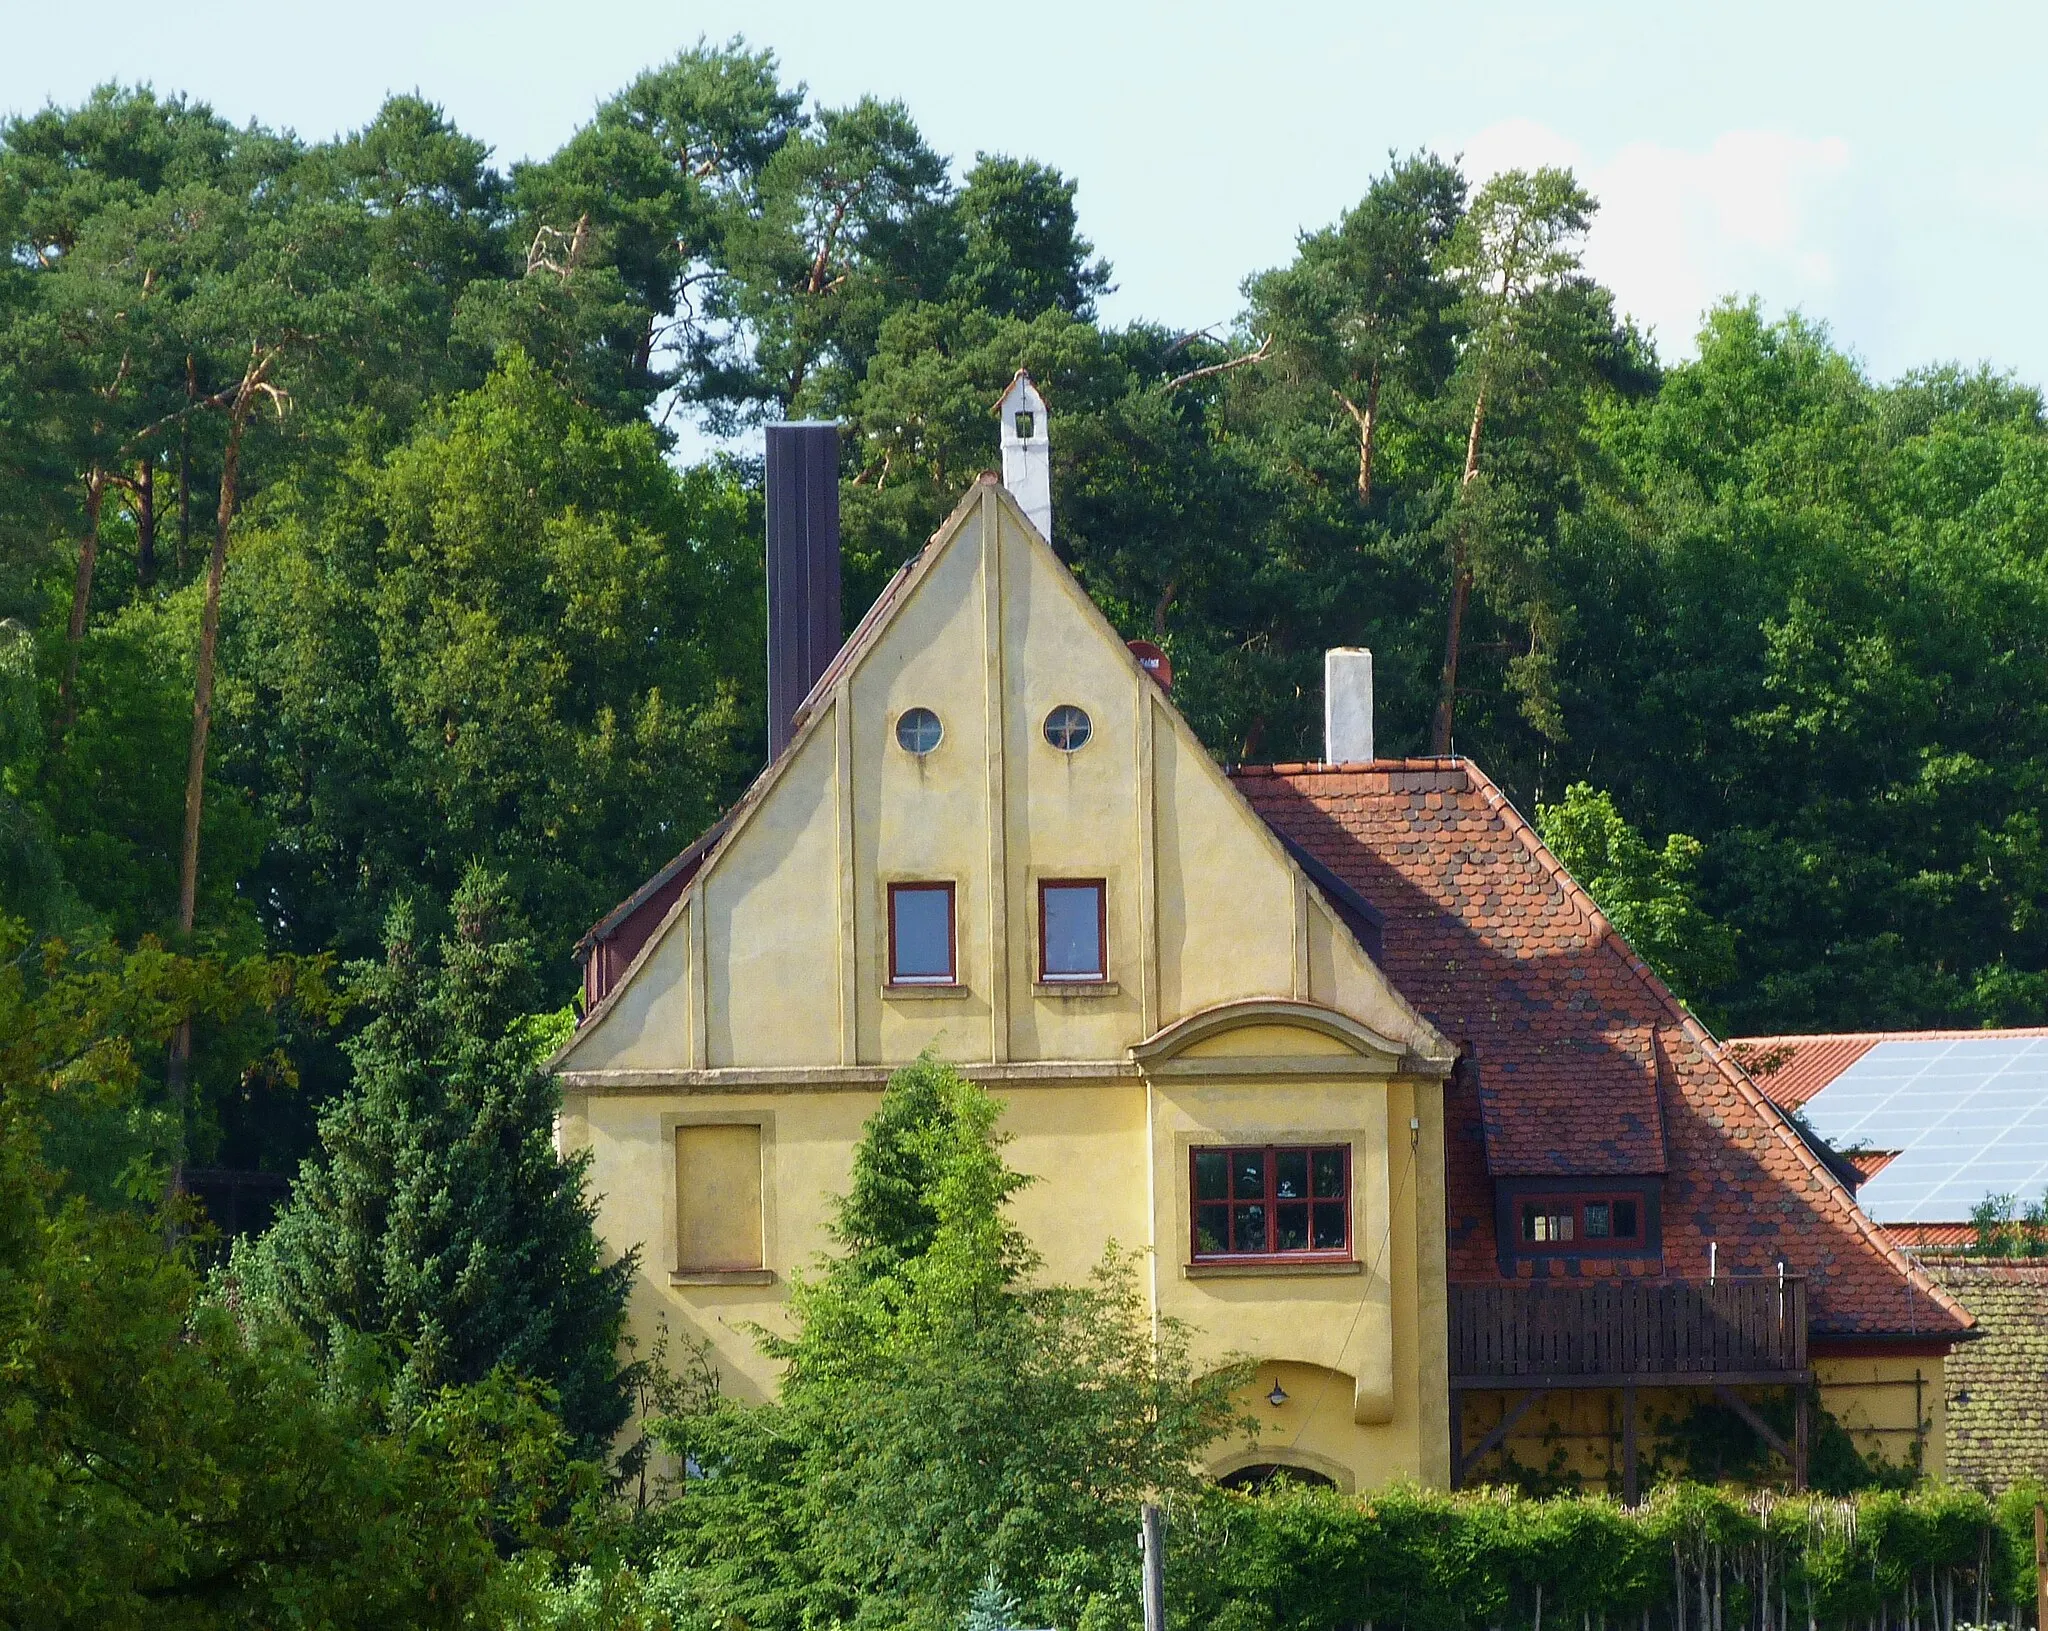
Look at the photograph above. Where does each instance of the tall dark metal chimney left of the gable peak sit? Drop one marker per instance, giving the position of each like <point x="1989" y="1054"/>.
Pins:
<point x="804" y="567"/>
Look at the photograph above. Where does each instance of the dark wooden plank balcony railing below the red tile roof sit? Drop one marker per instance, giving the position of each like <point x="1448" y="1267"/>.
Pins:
<point x="1627" y="1333"/>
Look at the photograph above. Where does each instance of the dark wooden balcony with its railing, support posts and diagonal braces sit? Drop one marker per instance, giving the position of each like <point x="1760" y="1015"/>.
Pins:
<point x="1535" y="1337"/>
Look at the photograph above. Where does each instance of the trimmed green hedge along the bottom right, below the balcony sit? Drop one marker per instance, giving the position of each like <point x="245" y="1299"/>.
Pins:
<point x="1693" y="1558"/>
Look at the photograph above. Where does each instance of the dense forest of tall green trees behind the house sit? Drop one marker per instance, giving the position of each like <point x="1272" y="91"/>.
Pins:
<point x="345" y="540"/>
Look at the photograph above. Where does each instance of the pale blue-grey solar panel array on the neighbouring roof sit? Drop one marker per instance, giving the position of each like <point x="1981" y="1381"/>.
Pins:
<point x="1967" y="1114"/>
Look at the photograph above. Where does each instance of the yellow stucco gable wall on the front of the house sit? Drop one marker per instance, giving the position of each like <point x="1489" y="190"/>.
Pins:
<point x="765" y="999"/>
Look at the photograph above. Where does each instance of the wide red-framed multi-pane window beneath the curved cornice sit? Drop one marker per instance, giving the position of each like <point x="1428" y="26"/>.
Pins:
<point x="1273" y="1202"/>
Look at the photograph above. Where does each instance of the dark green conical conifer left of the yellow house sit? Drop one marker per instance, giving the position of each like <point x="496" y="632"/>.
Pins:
<point x="439" y="1216"/>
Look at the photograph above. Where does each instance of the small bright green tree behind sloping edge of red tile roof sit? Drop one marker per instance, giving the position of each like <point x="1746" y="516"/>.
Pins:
<point x="1650" y="896"/>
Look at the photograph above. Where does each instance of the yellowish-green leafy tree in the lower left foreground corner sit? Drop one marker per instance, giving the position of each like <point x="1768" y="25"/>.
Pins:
<point x="165" y="1462"/>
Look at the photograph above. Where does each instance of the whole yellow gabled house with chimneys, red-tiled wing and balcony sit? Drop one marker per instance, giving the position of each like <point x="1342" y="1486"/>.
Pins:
<point x="1340" y="1048"/>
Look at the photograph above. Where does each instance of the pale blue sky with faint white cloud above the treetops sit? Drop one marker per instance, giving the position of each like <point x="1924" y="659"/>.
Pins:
<point x="1879" y="169"/>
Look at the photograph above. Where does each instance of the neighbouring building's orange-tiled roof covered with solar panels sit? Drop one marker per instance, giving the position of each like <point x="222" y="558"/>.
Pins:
<point x="1965" y="1110"/>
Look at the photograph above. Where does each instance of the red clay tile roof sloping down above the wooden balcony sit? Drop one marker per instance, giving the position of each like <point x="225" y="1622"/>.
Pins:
<point x="1580" y="1060"/>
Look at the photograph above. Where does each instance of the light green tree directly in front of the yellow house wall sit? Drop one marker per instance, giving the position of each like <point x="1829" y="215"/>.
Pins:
<point x="941" y="1417"/>
